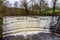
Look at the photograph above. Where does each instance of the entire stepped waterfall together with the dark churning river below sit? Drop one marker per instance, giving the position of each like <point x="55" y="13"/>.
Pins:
<point x="30" y="28"/>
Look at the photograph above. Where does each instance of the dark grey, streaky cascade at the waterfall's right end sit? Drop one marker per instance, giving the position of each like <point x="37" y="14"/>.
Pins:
<point x="55" y="24"/>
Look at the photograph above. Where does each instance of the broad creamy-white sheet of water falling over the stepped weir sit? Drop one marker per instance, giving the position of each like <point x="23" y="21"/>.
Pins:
<point x="20" y="24"/>
